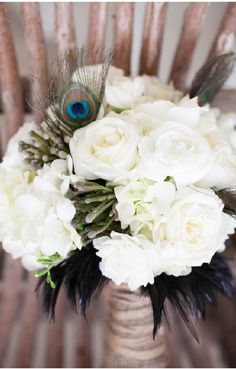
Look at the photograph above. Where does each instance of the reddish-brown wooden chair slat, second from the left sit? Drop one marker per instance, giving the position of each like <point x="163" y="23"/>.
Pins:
<point x="37" y="51"/>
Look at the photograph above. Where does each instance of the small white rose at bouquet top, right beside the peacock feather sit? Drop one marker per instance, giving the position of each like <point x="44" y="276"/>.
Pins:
<point x="123" y="92"/>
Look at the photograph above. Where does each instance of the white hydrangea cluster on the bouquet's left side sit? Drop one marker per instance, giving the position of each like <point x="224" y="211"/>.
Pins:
<point x="35" y="216"/>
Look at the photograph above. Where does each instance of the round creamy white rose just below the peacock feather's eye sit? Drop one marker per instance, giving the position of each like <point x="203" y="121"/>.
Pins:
<point x="105" y="149"/>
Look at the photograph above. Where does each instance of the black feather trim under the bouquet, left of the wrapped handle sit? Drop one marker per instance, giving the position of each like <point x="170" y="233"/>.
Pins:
<point x="81" y="276"/>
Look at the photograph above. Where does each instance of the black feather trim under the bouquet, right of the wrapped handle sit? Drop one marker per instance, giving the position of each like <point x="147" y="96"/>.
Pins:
<point x="189" y="294"/>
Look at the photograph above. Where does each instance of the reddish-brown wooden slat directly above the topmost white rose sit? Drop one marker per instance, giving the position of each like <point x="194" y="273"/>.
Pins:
<point x="123" y="35"/>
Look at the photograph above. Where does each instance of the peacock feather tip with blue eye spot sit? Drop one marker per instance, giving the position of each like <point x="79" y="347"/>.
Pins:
<point x="76" y="89"/>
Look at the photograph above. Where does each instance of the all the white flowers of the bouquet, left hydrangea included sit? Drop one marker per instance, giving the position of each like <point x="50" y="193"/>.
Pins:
<point x="161" y="153"/>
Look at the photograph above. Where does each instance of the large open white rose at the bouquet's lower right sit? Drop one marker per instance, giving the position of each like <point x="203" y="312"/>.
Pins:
<point x="194" y="230"/>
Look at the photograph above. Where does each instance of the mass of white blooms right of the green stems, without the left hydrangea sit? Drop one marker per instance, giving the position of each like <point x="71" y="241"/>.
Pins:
<point x="163" y="154"/>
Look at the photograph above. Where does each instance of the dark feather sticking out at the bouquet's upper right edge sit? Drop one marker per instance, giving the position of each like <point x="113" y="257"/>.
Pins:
<point x="211" y="77"/>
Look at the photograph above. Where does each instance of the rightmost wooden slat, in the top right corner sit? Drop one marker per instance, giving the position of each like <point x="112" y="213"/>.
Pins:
<point x="226" y="35"/>
